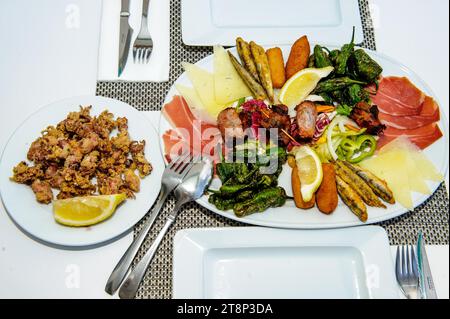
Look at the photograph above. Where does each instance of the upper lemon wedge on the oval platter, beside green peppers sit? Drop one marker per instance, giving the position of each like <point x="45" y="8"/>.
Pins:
<point x="301" y="84"/>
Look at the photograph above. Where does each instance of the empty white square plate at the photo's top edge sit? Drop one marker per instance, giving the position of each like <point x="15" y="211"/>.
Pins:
<point x="211" y="22"/>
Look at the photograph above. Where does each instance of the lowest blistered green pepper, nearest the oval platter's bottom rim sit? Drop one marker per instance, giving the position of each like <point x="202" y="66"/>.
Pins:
<point x="270" y="197"/>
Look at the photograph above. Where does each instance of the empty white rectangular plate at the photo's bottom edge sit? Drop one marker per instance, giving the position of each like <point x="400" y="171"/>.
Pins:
<point x="269" y="263"/>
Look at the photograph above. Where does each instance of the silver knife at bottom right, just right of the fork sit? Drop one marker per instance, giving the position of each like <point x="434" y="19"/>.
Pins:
<point x="426" y="283"/>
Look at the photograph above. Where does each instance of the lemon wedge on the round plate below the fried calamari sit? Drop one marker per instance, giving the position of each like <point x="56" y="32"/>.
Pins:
<point x="86" y="211"/>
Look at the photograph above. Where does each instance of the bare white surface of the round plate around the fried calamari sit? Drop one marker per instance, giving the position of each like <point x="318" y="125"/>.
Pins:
<point x="37" y="219"/>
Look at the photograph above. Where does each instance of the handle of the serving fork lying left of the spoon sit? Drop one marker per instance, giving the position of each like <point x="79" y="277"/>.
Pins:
<point x="124" y="264"/>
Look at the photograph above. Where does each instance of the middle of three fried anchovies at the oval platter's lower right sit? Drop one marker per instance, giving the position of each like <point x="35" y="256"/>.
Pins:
<point x="359" y="185"/>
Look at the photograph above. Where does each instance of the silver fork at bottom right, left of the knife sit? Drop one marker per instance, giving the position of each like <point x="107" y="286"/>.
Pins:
<point x="407" y="272"/>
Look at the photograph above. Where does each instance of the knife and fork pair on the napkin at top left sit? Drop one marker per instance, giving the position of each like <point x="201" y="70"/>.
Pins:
<point x="143" y="45"/>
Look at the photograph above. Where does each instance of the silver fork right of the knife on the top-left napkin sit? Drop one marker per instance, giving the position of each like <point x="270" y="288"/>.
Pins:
<point x="143" y="45"/>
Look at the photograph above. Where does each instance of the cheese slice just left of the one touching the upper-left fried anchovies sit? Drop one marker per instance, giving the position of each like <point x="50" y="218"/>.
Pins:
<point x="203" y="82"/>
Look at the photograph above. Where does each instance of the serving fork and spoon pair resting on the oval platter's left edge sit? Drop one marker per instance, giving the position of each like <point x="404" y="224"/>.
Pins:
<point x="187" y="177"/>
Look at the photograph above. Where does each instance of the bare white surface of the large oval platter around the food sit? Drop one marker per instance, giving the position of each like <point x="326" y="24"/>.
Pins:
<point x="289" y="216"/>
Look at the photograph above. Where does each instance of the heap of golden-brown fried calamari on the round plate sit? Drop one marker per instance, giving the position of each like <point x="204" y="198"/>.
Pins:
<point x="81" y="156"/>
